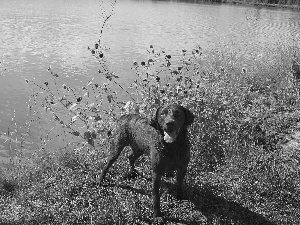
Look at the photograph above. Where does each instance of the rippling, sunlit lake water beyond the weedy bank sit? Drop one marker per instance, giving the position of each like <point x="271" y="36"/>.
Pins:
<point x="37" y="33"/>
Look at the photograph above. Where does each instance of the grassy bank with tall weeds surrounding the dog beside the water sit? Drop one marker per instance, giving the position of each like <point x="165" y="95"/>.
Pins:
<point x="245" y="156"/>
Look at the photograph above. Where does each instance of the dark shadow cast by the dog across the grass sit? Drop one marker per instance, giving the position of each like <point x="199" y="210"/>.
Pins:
<point x="207" y="206"/>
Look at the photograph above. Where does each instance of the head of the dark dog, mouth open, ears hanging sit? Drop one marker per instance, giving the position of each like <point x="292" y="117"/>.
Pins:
<point x="171" y="120"/>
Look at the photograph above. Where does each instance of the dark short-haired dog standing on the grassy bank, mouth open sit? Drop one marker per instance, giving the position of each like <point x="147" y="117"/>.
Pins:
<point x="164" y="138"/>
